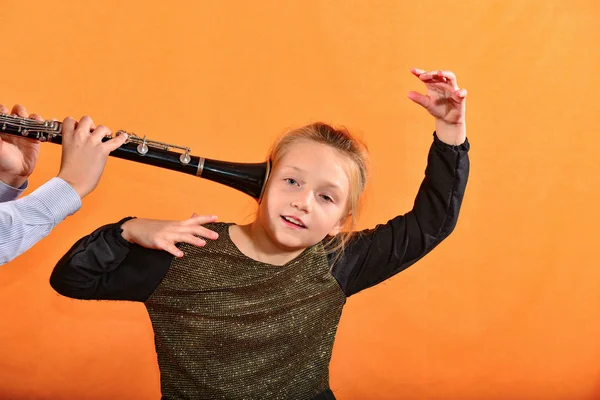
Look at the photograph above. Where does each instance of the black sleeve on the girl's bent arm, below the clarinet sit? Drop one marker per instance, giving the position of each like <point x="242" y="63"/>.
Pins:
<point x="104" y="266"/>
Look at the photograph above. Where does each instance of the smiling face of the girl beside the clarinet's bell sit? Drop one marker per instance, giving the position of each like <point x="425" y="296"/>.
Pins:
<point x="306" y="196"/>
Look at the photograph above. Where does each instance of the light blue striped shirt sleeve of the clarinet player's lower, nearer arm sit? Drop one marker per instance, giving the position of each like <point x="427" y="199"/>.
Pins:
<point x="26" y="221"/>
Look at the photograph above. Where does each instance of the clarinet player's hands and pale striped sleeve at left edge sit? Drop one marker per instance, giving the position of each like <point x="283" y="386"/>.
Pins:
<point x="25" y="221"/>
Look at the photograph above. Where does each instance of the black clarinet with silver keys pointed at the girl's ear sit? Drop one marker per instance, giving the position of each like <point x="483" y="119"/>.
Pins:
<point x="249" y="178"/>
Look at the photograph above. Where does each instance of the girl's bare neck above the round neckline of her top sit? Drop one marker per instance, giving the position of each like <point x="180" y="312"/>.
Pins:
<point x="253" y="241"/>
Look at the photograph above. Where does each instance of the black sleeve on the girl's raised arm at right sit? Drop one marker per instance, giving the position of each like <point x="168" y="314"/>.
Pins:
<point x="374" y="255"/>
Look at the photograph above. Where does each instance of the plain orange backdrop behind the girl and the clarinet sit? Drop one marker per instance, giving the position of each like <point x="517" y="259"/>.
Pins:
<point x="507" y="308"/>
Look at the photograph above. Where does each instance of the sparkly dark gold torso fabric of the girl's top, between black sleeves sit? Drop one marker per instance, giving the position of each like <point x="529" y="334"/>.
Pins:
<point x="229" y="327"/>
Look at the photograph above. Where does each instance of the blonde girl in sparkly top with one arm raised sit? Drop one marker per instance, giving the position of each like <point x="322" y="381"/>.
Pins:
<point x="252" y="313"/>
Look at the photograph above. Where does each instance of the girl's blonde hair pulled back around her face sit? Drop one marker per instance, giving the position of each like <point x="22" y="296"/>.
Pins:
<point x="347" y="145"/>
